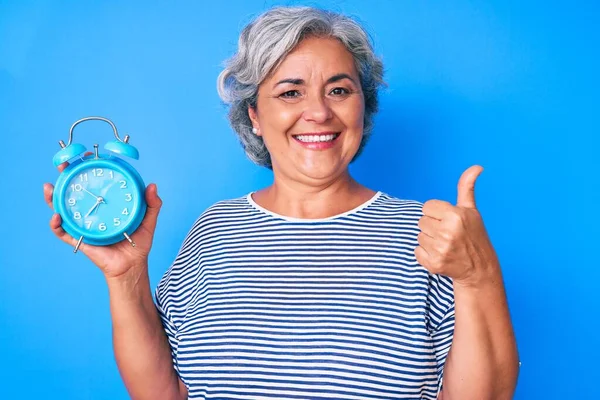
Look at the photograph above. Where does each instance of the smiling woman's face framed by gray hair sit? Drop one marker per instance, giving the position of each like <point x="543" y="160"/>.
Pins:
<point x="310" y="112"/>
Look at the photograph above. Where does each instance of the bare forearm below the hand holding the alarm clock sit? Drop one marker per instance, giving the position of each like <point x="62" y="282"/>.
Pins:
<point x="141" y="347"/>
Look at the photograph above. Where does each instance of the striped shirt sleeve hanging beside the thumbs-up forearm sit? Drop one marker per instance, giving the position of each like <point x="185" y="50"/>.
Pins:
<point x="440" y="319"/>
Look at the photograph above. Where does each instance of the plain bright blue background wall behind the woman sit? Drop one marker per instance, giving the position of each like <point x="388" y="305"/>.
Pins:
<point x="510" y="85"/>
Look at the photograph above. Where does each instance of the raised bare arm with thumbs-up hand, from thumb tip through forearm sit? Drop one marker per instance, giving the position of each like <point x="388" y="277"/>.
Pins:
<point x="483" y="358"/>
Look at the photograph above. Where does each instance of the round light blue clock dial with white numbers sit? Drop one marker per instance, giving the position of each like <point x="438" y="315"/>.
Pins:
<point x="101" y="202"/>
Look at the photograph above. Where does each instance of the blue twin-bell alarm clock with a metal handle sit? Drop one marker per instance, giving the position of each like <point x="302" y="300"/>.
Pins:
<point x="100" y="197"/>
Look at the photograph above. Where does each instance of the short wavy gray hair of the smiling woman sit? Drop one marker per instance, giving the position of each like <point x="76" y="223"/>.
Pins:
<point x="262" y="46"/>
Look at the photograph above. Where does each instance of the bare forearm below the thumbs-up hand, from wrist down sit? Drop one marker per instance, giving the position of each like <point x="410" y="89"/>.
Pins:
<point x="483" y="360"/>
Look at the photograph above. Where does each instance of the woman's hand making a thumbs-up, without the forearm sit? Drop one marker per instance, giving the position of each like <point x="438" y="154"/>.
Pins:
<point x="453" y="240"/>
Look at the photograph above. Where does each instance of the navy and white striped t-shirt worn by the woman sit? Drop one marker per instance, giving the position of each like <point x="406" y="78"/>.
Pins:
<point x="261" y="306"/>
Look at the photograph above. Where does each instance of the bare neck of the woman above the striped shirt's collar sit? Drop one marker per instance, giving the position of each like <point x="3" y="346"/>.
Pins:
<point x="299" y="200"/>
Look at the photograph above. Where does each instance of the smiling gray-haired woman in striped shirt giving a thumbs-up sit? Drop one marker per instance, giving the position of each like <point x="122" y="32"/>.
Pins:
<point x="316" y="286"/>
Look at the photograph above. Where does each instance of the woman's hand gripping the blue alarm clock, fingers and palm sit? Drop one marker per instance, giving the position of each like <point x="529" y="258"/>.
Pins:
<point x="117" y="259"/>
